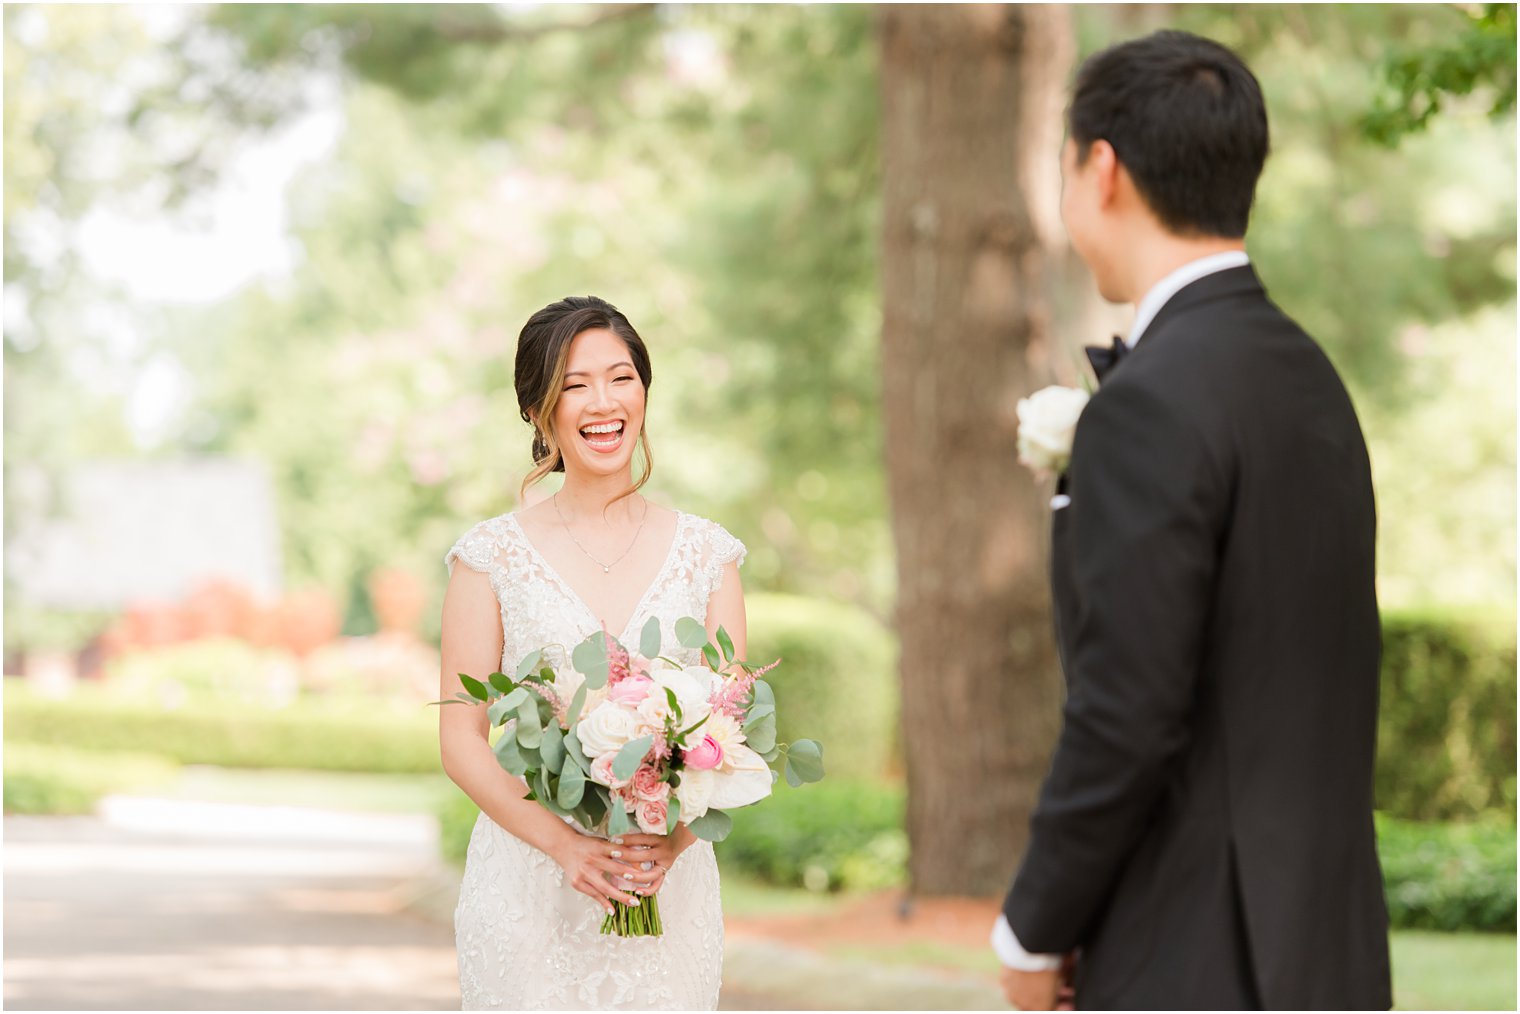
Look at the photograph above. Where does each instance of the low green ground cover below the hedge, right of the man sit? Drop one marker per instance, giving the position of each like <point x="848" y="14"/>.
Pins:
<point x="1449" y="876"/>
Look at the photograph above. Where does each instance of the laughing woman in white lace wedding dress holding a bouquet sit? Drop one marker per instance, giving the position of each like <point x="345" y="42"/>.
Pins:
<point x="594" y="556"/>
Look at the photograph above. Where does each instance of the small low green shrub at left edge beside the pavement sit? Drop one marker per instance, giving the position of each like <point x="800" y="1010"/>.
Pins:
<point x="63" y="781"/>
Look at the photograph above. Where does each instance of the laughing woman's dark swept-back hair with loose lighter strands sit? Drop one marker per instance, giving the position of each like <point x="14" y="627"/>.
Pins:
<point x="543" y="349"/>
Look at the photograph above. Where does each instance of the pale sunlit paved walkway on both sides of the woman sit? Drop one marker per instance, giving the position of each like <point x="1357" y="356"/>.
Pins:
<point x="179" y="905"/>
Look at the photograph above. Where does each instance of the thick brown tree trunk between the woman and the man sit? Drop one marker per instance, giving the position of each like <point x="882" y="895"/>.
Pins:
<point x="972" y="133"/>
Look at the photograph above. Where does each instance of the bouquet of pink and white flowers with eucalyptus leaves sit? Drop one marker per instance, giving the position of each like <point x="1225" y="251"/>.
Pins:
<point x="621" y="741"/>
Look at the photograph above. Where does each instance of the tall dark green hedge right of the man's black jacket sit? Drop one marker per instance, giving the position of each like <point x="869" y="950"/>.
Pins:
<point x="1446" y="744"/>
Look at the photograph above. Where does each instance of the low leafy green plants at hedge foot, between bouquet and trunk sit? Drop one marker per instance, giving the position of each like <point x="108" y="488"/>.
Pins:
<point x="829" y="837"/>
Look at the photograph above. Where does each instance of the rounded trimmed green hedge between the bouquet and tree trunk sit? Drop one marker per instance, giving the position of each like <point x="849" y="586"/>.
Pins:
<point x="837" y="682"/>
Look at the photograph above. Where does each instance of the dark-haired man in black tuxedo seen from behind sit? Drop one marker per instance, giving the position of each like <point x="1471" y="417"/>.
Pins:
<point x="1205" y="838"/>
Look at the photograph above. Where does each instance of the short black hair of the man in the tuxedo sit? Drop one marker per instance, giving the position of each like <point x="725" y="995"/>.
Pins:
<point x="1186" y="119"/>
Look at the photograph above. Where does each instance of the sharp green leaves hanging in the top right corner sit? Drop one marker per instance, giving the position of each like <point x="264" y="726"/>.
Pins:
<point x="1481" y="54"/>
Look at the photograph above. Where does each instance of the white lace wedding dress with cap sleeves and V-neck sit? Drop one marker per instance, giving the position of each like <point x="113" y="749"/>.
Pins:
<point x="527" y="939"/>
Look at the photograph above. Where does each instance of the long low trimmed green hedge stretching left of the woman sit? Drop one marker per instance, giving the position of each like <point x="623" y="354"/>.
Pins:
<point x="232" y="737"/>
